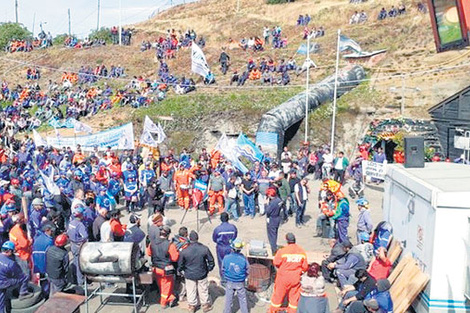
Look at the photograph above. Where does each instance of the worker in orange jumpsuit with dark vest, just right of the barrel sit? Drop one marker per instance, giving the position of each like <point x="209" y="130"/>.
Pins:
<point x="163" y="253"/>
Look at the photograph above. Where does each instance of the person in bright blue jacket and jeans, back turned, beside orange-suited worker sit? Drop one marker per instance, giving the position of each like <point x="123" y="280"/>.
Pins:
<point x="235" y="268"/>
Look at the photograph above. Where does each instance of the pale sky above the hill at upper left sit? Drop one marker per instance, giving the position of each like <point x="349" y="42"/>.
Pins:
<point x="53" y="13"/>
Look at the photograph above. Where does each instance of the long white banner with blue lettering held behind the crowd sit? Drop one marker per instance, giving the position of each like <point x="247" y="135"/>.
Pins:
<point x="121" y="137"/>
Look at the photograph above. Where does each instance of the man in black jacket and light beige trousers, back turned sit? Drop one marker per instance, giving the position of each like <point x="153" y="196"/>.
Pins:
<point x="196" y="261"/>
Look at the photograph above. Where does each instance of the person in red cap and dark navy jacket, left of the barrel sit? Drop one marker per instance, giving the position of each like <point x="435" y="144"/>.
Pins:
<point x="57" y="264"/>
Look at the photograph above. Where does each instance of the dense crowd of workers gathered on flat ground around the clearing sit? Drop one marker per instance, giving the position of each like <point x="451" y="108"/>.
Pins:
<point x="51" y="197"/>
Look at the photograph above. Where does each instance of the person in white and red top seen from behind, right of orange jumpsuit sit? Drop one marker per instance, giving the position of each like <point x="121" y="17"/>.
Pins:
<point x="312" y="291"/>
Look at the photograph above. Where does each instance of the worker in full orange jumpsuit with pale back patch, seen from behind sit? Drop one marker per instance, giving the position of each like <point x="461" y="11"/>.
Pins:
<point x="291" y="262"/>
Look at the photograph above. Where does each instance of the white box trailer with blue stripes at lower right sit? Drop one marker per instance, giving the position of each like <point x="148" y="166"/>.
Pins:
<point x="429" y="209"/>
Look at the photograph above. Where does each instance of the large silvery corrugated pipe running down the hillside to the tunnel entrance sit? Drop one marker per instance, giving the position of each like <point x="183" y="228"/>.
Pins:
<point x="279" y="119"/>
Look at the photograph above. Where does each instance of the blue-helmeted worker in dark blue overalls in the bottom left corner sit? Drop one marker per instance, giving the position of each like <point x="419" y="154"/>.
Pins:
<point x="11" y="276"/>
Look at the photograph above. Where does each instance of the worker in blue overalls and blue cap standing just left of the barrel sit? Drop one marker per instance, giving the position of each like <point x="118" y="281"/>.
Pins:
<point x="78" y="235"/>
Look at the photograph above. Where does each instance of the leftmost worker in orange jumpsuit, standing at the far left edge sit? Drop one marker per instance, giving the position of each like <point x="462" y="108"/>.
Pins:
<point x="22" y="243"/>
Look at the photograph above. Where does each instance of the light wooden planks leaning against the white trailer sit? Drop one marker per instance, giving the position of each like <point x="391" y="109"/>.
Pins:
<point x="407" y="282"/>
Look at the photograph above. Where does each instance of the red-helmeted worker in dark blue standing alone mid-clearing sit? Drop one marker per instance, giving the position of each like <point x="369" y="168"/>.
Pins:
<point x="273" y="217"/>
